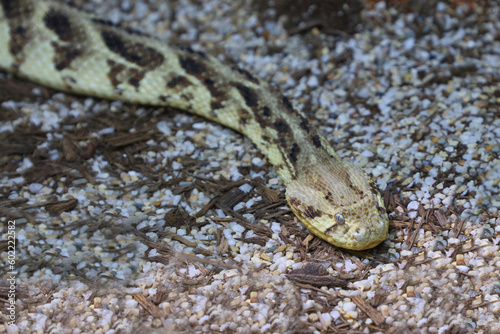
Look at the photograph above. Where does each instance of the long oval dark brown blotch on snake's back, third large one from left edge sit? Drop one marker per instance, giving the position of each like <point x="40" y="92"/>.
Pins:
<point x="137" y="53"/>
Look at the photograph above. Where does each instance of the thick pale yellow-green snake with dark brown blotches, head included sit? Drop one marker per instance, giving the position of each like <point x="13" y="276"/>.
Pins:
<point x="67" y="49"/>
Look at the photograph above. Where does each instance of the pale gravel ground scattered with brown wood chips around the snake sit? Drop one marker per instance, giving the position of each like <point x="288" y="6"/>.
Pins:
<point x="134" y="219"/>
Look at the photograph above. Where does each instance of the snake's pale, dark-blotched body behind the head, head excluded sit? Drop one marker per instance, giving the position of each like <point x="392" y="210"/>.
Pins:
<point x="86" y="55"/>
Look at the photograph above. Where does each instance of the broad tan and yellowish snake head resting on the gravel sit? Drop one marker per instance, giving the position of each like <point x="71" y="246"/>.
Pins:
<point x="337" y="203"/>
